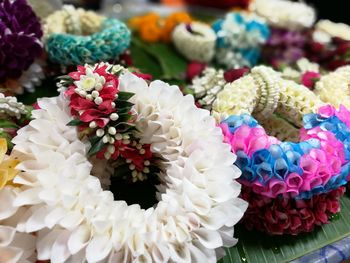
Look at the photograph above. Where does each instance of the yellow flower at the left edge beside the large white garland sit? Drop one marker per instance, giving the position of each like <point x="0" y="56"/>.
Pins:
<point x="7" y="166"/>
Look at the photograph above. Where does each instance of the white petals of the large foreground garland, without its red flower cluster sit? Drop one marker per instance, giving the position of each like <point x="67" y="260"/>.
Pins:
<point x="76" y="220"/>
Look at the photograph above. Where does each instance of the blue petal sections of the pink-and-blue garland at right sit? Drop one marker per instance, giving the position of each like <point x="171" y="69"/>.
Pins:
<point x="278" y="161"/>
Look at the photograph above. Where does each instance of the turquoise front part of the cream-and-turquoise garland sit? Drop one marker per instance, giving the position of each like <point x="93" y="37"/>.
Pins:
<point x="106" y="45"/>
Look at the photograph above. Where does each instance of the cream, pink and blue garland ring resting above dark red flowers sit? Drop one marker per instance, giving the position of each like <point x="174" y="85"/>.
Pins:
<point x="318" y="163"/>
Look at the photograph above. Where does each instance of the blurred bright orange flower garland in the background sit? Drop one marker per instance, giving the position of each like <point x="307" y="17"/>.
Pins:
<point x="153" y="28"/>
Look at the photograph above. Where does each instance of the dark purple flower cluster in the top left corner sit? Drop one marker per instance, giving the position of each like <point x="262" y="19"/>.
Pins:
<point x="20" y="33"/>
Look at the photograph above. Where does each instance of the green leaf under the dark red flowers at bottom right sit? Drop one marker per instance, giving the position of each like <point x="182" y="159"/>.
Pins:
<point x="254" y="246"/>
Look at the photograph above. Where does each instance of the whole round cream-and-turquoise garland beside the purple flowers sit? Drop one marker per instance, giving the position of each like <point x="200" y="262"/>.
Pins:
<point x="75" y="36"/>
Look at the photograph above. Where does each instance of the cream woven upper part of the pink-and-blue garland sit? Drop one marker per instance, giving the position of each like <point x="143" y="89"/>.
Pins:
<point x="262" y="93"/>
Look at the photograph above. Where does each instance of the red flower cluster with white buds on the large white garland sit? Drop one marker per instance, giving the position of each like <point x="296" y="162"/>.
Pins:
<point x="105" y="116"/>
